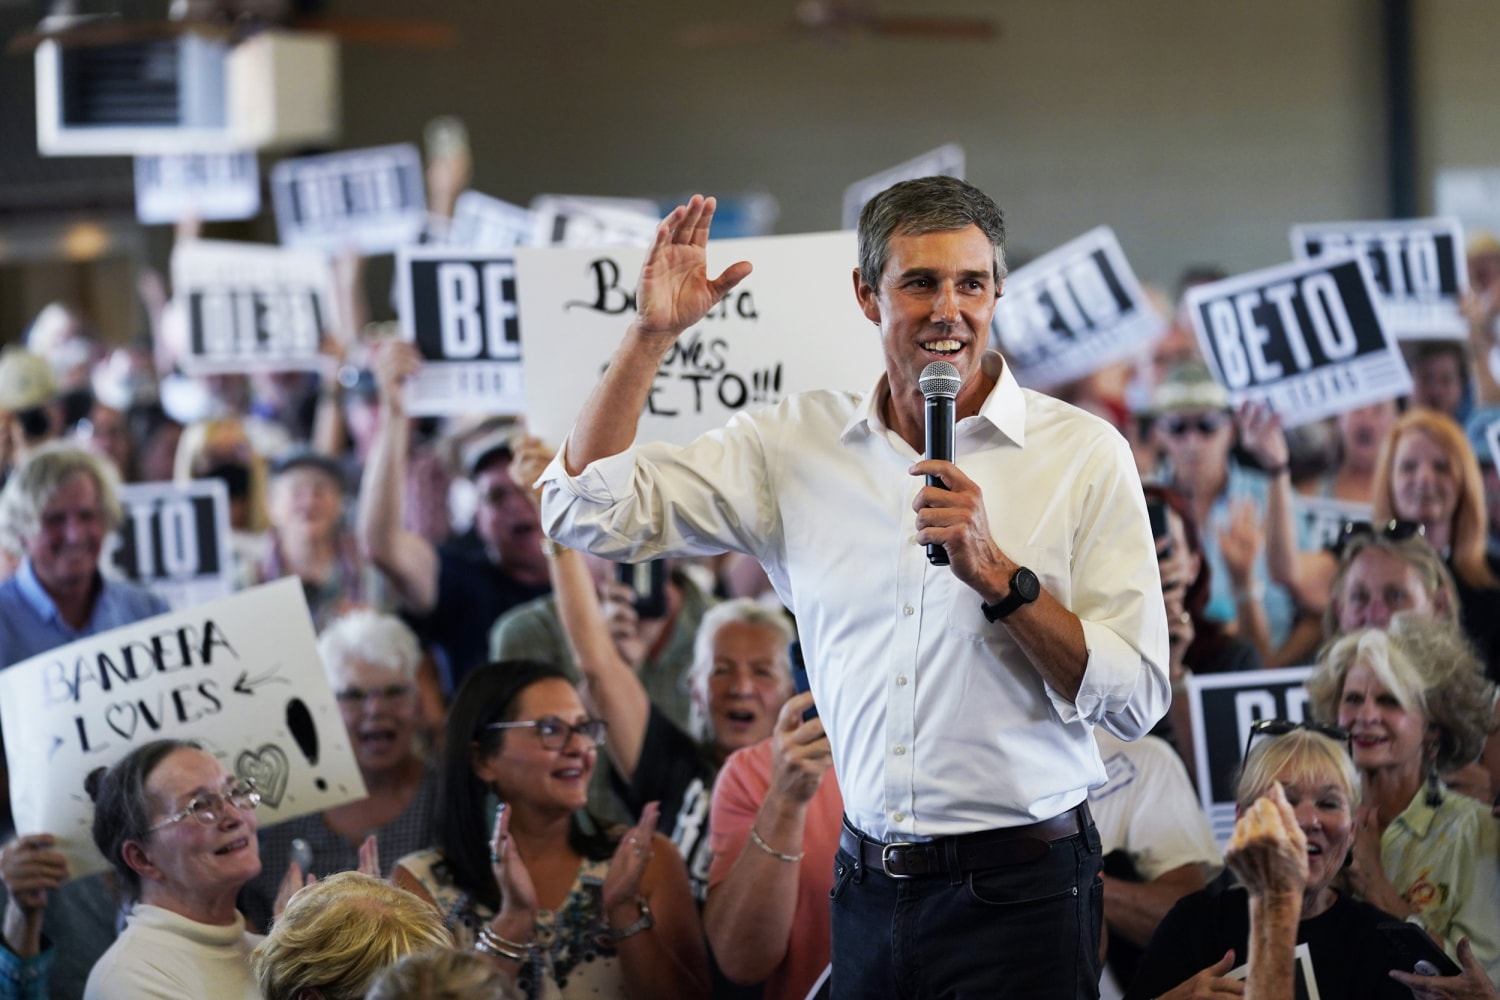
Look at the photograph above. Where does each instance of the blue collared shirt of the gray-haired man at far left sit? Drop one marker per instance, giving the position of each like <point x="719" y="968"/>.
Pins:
<point x="31" y="623"/>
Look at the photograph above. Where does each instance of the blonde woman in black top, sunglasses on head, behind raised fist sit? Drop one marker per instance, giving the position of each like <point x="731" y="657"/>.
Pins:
<point x="1207" y="936"/>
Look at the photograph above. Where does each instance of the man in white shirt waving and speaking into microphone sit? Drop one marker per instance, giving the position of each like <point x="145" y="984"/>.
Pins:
<point x="959" y="699"/>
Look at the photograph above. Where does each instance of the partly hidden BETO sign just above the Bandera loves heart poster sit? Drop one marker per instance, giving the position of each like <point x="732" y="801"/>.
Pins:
<point x="175" y="540"/>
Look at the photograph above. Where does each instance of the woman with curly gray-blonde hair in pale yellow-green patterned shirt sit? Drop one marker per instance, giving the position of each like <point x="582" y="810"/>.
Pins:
<point x="1417" y="705"/>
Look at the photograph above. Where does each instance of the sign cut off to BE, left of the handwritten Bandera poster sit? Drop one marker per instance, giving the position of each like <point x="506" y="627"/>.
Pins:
<point x="460" y="308"/>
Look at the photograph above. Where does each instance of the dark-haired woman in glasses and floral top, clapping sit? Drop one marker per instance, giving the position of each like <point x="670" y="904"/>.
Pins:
<point x="565" y="908"/>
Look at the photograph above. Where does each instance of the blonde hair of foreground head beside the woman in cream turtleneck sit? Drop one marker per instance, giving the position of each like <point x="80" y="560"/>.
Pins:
<point x="338" y="935"/>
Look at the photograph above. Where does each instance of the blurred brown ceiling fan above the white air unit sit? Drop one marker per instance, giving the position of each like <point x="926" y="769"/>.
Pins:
<point x="230" y="20"/>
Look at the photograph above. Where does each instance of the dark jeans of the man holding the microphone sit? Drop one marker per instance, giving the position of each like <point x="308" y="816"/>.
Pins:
<point x="1028" y="932"/>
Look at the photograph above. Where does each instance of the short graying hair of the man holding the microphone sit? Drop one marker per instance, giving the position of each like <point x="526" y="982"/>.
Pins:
<point x="928" y="205"/>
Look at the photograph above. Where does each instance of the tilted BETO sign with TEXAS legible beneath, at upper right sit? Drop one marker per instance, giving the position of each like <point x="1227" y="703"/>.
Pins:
<point x="1303" y="338"/>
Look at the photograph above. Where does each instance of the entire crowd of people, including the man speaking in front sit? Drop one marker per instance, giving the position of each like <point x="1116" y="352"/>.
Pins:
<point x="581" y="789"/>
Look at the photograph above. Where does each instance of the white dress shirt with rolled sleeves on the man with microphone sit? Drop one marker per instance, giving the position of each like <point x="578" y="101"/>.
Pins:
<point x="940" y="723"/>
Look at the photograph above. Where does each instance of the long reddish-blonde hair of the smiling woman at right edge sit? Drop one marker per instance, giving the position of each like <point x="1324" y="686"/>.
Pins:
<point x="1471" y="524"/>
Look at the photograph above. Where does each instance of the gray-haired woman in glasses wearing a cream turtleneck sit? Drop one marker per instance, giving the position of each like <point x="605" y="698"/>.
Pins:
<point x="181" y="833"/>
